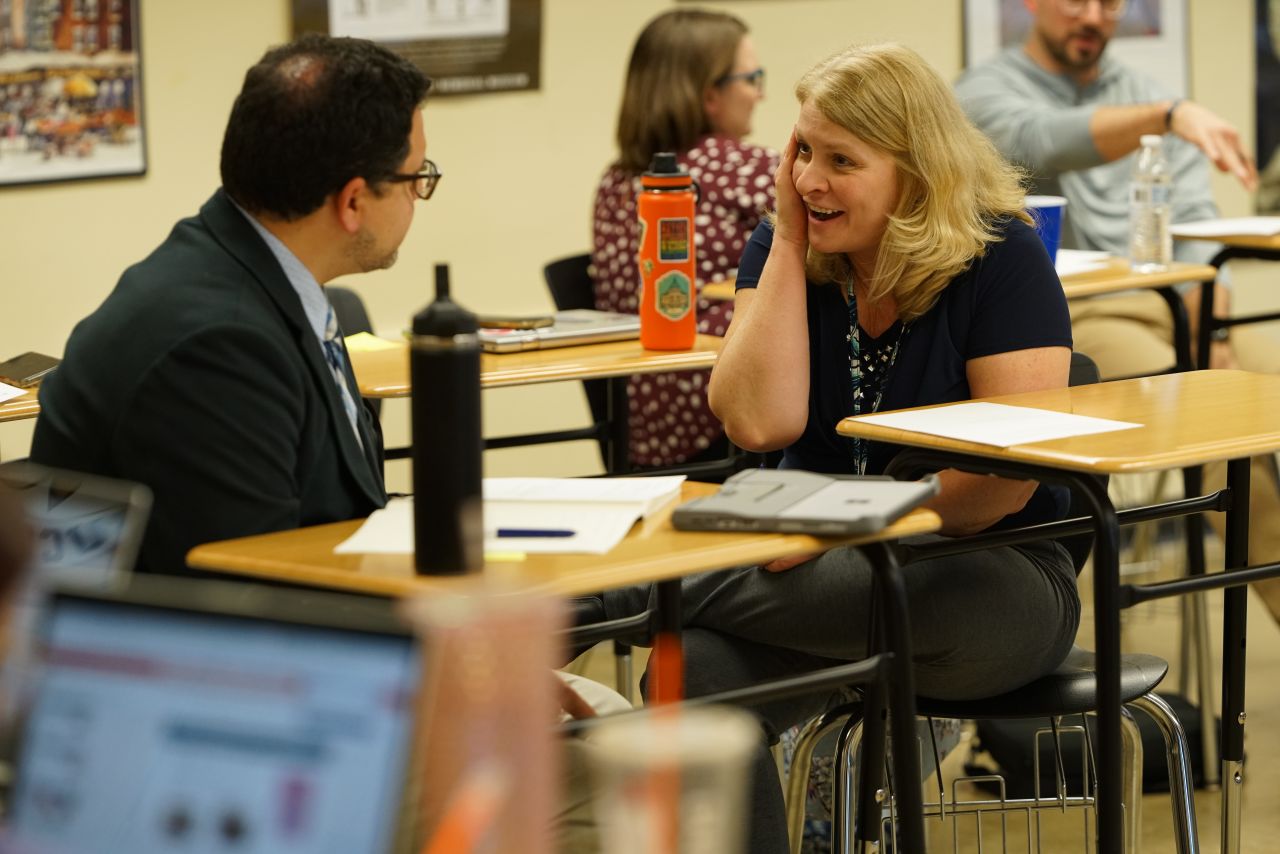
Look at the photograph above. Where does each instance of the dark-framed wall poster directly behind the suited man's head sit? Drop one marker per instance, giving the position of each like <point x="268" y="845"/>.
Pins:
<point x="467" y="47"/>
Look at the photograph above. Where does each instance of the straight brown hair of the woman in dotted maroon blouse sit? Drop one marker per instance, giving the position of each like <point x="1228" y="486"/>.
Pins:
<point x="678" y="57"/>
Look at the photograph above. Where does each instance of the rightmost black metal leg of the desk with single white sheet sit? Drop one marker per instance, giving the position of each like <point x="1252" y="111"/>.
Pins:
<point x="1235" y="624"/>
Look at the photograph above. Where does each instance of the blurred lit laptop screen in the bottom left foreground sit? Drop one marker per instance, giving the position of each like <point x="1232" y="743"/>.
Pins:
<point x="156" y="730"/>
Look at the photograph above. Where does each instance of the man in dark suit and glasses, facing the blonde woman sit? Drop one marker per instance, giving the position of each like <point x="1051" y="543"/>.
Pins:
<point x="213" y="373"/>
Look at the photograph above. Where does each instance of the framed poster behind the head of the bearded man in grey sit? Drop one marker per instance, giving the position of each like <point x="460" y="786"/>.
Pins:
<point x="1151" y="36"/>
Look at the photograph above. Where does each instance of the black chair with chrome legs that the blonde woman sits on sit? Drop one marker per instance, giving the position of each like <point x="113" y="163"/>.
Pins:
<point x="1072" y="689"/>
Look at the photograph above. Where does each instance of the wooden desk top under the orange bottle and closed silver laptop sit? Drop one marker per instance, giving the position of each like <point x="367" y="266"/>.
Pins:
<point x="385" y="373"/>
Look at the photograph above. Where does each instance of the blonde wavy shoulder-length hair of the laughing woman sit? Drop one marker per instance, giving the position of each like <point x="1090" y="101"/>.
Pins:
<point x="956" y="186"/>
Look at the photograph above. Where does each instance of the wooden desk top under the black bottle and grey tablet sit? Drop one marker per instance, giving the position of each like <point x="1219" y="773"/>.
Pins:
<point x="653" y="551"/>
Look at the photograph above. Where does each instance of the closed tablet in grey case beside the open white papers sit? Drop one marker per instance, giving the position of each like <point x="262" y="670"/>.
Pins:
<point x="803" y="503"/>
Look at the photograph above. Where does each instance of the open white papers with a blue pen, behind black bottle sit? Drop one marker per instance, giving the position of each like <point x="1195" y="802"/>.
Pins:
<point x="536" y="515"/>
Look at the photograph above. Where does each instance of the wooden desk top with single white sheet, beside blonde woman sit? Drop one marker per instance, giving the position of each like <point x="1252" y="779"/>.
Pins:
<point x="1187" y="419"/>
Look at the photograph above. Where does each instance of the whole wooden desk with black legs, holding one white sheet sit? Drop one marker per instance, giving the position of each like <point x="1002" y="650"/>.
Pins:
<point x="1187" y="421"/>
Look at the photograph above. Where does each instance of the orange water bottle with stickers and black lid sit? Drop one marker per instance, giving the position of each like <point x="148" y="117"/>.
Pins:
<point x="669" y="317"/>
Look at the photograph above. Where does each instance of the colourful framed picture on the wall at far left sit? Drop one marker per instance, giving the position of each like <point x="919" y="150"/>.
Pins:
<point x="71" y="90"/>
